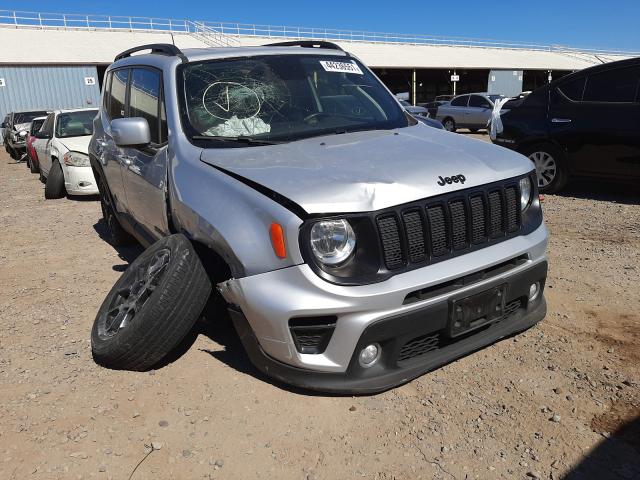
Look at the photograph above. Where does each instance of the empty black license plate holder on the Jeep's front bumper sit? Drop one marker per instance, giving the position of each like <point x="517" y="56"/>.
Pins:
<point x="477" y="310"/>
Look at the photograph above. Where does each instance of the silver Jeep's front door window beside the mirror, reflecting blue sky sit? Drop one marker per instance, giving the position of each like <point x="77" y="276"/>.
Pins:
<point x="144" y="99"/>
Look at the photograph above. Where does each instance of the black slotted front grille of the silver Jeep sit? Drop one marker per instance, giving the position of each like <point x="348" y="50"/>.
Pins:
<point x="437" y="228"/>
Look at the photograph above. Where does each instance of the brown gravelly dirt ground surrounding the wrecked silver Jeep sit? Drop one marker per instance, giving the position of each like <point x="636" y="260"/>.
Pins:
<point x="561" y="400"/>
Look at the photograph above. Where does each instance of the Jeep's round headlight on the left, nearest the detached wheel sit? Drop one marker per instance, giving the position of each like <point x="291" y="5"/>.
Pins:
<point x="332" y="241"/>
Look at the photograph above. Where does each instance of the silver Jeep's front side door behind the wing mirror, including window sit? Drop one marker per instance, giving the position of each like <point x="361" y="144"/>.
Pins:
<point x="144" y="168"/>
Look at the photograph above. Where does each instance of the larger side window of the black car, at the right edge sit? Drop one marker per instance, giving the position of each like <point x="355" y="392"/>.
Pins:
<point x="618" y="85"/>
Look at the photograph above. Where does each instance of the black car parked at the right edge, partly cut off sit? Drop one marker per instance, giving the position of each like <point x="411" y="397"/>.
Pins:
<point x="584" y="124"/>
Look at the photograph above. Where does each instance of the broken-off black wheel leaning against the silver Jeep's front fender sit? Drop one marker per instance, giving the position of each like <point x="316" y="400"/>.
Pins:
<point x="152" y="306"/>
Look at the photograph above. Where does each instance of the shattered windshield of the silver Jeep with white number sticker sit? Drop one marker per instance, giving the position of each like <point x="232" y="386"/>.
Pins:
<point x="284" y="98"/>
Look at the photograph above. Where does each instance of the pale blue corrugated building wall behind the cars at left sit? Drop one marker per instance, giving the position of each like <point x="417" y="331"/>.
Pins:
<point x="47" y="87"/>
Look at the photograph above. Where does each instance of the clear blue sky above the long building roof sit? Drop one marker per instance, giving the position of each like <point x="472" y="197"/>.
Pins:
<point x="582" y="23"/>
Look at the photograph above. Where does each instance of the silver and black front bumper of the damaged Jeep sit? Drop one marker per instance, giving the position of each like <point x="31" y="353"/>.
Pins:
<point x="262" y="306"/>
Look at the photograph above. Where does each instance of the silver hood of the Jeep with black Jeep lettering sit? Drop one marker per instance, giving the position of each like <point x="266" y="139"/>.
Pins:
<point x="371" y="170"/>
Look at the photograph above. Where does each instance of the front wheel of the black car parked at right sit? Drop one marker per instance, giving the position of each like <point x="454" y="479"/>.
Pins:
<point x="551" y="166"/>
